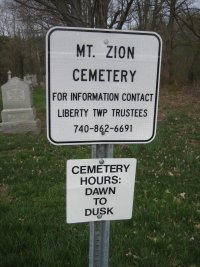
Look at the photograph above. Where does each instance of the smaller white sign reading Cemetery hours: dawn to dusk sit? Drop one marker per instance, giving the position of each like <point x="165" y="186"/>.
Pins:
<point x="99" y="190"/>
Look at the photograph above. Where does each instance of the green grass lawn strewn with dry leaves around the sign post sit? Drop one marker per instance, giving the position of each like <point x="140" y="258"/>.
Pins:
<point x="165" y="228"/>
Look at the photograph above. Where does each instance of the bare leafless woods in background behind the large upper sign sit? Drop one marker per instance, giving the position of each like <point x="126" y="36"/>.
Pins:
<point x="23" y="26"/>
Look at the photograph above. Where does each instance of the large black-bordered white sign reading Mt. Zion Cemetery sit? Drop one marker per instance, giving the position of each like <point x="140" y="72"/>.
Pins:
<point x="102" y="86"/>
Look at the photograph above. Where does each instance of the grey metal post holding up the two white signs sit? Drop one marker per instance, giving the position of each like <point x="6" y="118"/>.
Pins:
<point x="100" y="231"/>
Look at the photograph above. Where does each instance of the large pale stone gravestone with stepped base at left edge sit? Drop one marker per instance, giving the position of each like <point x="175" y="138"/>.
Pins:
<point x="18" y="114"/>
